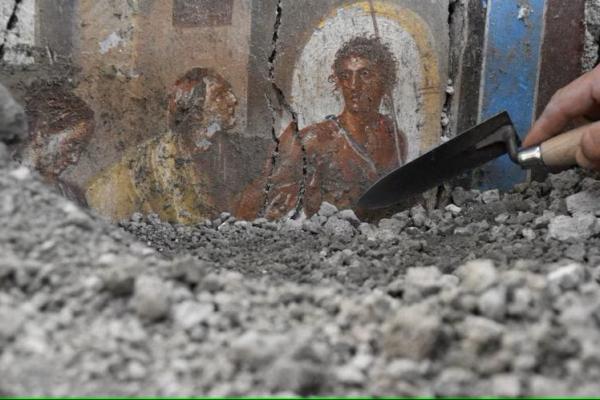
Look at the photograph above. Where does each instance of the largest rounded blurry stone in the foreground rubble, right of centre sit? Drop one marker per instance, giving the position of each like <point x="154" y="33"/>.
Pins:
<point x="412" y="333"/>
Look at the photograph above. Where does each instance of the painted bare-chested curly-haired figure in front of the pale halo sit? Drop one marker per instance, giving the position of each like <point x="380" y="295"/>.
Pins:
<point x="344" y="154"/>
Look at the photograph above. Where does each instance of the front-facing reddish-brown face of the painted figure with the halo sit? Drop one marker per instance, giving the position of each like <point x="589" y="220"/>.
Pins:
<point x="362" y="85"/>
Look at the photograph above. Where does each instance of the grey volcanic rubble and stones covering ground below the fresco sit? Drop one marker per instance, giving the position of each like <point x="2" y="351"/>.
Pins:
<point x="497" y="294"/>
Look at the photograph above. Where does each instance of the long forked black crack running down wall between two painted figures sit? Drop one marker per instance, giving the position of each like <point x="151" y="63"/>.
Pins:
<point x="285" y="107"/>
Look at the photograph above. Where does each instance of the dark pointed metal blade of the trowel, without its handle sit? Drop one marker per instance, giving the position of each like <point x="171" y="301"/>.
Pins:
<point x="437" y="166"/>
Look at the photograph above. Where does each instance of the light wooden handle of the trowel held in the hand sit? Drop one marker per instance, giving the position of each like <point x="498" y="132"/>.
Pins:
<point x="560" y="152"/>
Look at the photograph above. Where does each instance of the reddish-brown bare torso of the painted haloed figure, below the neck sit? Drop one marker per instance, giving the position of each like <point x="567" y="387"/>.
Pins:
<point x="338" y="167"/>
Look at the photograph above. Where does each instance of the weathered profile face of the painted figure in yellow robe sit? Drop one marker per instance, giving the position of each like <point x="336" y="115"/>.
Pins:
<point x="220" y="104"/>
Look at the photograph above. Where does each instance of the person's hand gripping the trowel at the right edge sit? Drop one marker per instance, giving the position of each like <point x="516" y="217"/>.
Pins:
<point x="579" y="99"/>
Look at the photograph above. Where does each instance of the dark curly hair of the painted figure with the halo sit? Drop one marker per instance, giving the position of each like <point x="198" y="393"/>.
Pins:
<point x="370" y="48"/>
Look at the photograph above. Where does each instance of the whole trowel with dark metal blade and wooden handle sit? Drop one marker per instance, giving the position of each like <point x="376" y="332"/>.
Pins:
<point x="473" y="148"/>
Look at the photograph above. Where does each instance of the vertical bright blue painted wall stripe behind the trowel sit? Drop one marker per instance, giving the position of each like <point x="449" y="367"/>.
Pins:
<point x="509" y="81"/>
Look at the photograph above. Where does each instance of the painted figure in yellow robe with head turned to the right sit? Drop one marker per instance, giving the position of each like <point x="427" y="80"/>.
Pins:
<point x="165" y="175"/>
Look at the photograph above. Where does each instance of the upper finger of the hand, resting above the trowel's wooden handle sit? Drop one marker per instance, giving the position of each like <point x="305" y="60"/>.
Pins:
<point x="579" y="98"/>
